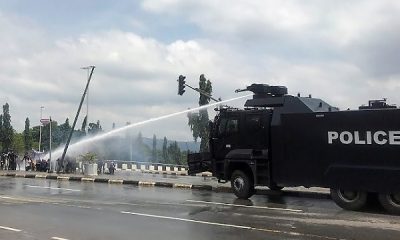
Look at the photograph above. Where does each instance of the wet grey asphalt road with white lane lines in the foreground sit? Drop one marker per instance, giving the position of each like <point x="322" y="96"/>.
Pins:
<point x="48" y="209"/>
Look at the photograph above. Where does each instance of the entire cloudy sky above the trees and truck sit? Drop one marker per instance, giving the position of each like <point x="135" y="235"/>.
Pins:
<point x="345" y="52"/>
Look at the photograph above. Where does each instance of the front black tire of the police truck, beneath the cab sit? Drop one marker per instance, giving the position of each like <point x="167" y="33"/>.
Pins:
<point x="242" y="185"/>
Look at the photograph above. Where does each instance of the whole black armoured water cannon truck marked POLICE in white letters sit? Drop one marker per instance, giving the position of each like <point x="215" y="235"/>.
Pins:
<point x="279" y="140"/>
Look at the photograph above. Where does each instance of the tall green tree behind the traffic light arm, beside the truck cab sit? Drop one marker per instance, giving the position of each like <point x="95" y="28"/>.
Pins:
<point x="198" y="122"/>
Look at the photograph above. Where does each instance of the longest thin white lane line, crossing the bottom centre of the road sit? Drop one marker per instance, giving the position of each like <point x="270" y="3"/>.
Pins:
<point x="234" y="226"/>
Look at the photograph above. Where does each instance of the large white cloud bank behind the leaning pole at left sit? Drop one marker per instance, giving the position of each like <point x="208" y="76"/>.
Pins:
<point x="133" y="76"/>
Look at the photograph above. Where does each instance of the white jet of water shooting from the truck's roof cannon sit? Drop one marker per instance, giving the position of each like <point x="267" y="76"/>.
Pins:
<point x="73" y="147"/>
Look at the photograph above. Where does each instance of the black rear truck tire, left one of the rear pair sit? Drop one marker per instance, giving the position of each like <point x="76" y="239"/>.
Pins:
<point x="349" y="200"/>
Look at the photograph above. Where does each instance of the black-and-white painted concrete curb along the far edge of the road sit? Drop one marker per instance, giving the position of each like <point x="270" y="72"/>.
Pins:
<point x="293" y="193"/>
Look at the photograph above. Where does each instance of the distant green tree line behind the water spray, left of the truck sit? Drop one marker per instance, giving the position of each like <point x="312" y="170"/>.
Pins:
<point x="128" y="148"/>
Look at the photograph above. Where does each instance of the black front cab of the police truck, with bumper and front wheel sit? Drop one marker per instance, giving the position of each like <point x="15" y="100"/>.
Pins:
<point x="239" y="148"/>
